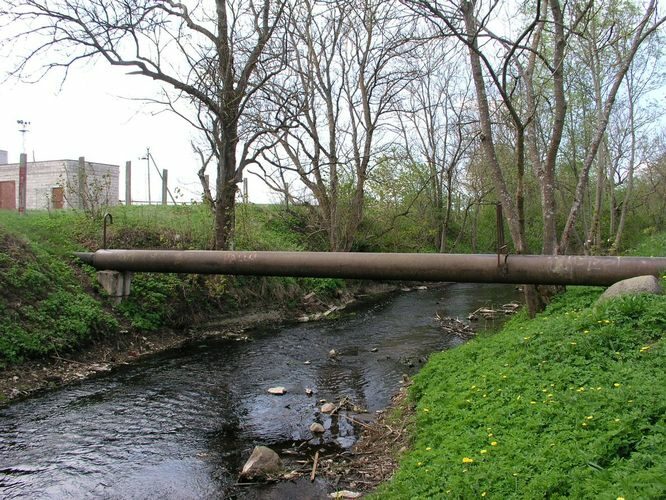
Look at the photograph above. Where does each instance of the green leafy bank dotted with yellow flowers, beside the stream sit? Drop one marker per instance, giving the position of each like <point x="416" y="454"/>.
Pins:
<point x="570" y="404"/>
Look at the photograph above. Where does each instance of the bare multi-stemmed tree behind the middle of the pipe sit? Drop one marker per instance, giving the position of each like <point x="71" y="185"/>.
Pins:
<point x="346" y="63"/>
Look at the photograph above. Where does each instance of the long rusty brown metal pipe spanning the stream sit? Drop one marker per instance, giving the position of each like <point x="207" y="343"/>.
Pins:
<point x="517" y="269"/>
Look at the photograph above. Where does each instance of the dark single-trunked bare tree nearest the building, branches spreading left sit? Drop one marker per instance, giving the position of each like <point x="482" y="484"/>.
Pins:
<point x="212" y="59"/>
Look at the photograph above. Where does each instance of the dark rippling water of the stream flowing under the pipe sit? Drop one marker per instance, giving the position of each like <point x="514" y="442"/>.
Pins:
<point x="180" y="425"/>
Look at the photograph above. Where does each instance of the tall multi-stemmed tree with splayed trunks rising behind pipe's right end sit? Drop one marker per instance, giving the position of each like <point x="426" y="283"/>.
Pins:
<point x="505" y="65"/>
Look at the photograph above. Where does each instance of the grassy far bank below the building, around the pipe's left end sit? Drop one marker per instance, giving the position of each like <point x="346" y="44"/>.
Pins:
<point x="51" y="304"/>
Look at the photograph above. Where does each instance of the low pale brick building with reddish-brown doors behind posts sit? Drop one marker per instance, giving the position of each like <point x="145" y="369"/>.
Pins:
<point x="55" y="184"/>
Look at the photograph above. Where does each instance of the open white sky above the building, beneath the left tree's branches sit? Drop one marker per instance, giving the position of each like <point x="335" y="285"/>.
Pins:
<point x="90" y="116"/>
